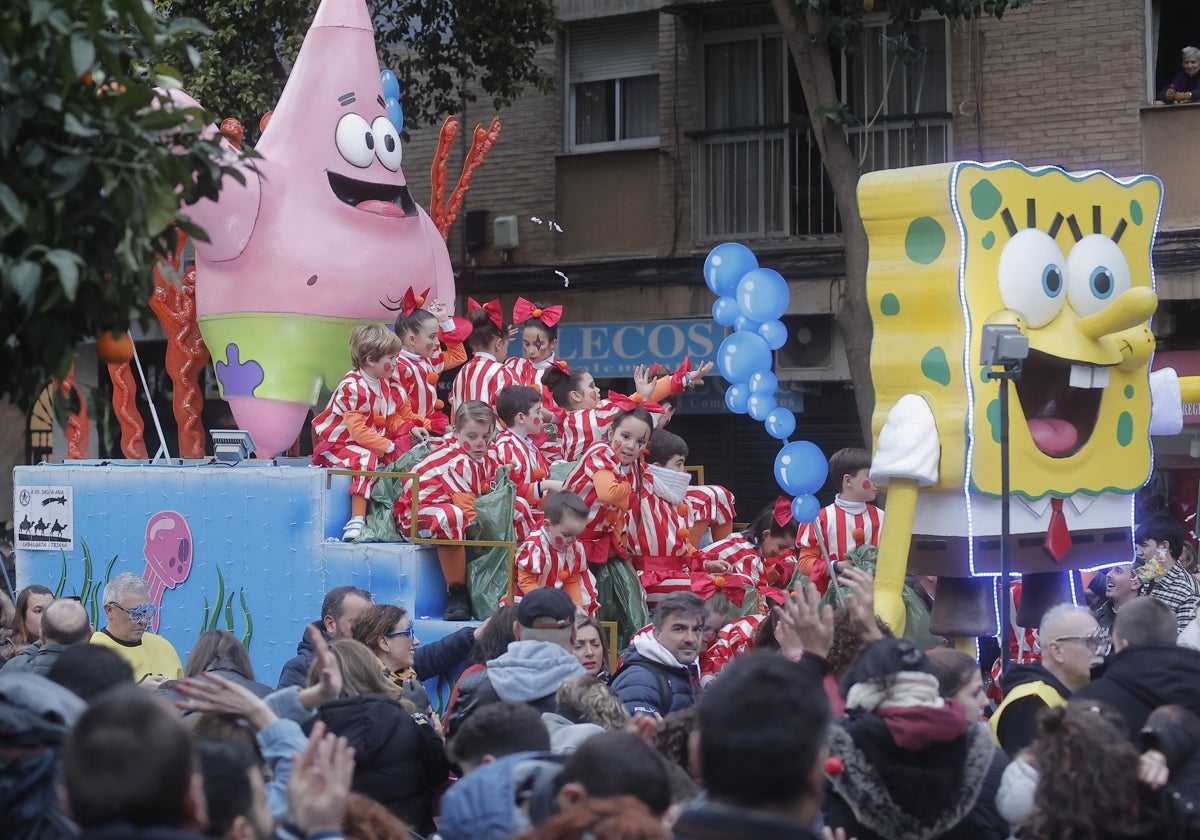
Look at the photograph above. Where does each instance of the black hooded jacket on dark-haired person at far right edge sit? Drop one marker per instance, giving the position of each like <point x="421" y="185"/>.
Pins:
<point x="1141" y="679"/>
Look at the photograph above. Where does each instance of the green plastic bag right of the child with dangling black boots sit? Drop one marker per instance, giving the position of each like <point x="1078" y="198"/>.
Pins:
<point x="489" y="571"/>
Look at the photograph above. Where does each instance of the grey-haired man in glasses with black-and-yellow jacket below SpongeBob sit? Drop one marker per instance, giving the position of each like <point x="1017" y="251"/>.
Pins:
<point x="1072" y="643"/>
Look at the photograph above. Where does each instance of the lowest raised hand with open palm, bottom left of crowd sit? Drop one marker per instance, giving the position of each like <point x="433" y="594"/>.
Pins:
<point x="320" y="783"/>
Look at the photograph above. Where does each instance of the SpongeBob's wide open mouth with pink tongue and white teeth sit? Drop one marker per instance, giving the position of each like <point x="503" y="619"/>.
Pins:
<point x="1061" y="403"/>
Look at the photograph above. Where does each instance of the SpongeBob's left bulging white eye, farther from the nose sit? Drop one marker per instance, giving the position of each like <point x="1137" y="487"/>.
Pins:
<point x="1031" y="277"/>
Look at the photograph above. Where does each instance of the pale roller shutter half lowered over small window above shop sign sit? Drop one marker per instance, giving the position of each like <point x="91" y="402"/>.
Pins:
<point x="614" y="50"/>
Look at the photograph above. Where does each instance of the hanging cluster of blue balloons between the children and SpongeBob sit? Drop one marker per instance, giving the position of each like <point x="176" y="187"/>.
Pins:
<point x="752" y="301"/>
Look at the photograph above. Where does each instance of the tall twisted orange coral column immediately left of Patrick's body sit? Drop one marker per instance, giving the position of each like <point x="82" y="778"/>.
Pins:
<point x="175" y="303"/>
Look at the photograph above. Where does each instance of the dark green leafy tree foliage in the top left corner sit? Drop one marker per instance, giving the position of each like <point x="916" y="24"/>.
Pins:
<point x="88" y="185"/>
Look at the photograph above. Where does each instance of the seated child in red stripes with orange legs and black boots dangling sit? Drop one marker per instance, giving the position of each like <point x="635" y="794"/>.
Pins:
<point x="451" y="481"/>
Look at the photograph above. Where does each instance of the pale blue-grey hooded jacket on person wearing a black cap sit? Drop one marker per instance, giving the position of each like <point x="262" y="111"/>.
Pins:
<point x="529" y="673"/>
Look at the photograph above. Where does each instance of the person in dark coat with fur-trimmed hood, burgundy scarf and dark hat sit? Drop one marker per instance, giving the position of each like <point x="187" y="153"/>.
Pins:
<point x="910" y="766"/>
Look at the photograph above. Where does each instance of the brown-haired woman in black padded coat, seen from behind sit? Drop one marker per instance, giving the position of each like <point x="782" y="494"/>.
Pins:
<point x="399" y="759"/>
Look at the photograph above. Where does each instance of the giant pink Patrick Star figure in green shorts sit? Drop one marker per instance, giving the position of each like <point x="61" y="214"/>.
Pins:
<point x="323" y="237"/>
